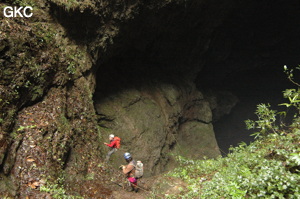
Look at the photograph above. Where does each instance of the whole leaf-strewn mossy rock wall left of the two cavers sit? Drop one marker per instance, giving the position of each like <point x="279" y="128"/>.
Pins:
<point x="49" y="136"/>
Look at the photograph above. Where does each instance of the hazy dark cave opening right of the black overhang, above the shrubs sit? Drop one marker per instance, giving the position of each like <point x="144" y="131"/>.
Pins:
<point x="247" y="58"/>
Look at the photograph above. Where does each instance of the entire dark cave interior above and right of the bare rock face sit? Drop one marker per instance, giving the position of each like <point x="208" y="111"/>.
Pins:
<point x="244" y="54"/>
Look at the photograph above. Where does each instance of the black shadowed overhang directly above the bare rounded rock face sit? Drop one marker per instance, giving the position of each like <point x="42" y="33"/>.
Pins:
<point x="165" y="46"/>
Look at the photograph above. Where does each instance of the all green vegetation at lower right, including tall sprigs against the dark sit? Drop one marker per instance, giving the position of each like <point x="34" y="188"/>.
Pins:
<point x="267" y="168"/>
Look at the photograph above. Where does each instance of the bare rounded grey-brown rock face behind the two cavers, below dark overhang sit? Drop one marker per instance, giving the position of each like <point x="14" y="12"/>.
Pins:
<point x="153" y="123"/>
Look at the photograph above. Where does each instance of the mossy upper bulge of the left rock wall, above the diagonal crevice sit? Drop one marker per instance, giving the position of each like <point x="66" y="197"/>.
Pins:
<point x="35" y="54"/>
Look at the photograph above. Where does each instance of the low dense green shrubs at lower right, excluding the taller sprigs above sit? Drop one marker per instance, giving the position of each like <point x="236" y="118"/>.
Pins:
<point x="267" y="168"/>
